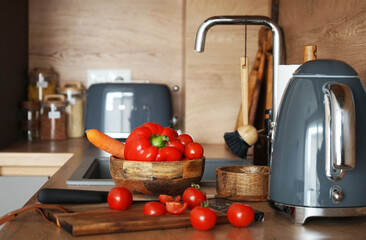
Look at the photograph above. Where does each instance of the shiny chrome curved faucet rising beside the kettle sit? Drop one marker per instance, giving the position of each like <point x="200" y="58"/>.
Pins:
<point x="247" y="20"/>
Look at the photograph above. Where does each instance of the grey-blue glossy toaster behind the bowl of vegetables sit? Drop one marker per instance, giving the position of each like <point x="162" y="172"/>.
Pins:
<point x="117" y="108"/>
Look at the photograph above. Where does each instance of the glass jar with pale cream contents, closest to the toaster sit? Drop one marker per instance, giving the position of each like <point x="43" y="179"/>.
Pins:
<point x="75" y="96"/>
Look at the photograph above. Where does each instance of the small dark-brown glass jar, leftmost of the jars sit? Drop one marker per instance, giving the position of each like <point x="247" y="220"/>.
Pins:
<point x="30" y="120"/>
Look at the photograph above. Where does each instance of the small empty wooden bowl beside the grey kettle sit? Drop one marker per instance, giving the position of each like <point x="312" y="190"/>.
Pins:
<point x="242" y="183"/>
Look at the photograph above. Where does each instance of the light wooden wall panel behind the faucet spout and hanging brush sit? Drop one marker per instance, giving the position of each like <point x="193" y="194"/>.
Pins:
<point x="212" y="78"/>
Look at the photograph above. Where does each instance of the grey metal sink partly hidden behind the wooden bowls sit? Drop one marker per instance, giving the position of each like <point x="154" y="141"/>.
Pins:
<point x="95" y="171"/>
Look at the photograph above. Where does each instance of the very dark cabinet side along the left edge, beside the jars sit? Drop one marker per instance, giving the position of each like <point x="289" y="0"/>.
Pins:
<point x="13" y="66"/>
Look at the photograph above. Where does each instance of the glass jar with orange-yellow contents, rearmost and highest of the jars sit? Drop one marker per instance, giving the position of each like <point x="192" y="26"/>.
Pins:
<point x="41" y="83"/>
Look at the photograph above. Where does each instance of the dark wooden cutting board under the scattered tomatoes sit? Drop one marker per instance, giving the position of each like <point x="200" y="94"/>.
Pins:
<point x="99" y="218"/>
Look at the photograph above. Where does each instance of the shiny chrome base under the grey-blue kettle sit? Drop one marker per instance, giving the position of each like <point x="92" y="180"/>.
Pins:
<point x="299" y="214"/>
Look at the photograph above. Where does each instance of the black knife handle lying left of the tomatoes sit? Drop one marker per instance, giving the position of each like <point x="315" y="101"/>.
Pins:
<point x="70" y="196"/>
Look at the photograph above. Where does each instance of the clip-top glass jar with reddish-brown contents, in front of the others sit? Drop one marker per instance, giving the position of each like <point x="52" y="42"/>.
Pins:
<point x="53" y="117"/>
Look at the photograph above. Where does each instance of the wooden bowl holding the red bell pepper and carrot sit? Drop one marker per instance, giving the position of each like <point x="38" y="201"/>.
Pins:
<point x="168" y="177"/>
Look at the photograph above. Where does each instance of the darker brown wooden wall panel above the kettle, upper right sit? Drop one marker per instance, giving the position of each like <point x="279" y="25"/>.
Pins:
<point x="337" y="27"/>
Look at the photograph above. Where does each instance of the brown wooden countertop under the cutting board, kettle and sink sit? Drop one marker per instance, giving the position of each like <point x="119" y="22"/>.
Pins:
<point x="275" y="226"/>
